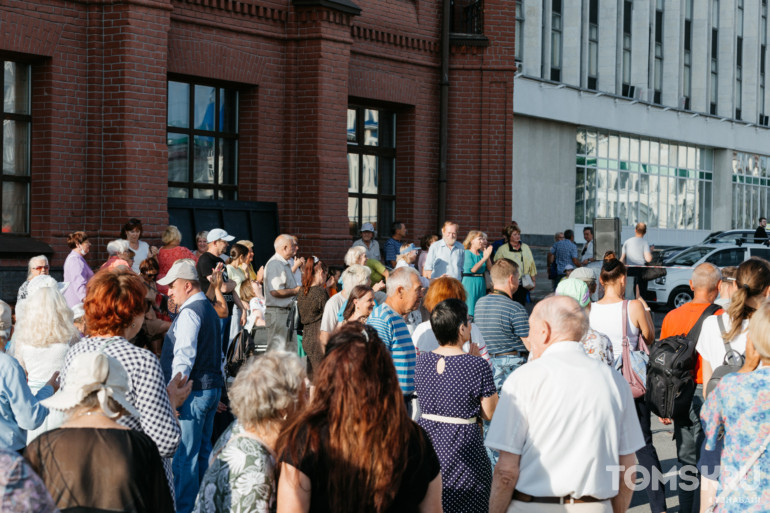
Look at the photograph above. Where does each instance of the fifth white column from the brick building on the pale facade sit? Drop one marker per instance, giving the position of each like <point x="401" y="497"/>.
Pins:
<point x="673" y="27"/>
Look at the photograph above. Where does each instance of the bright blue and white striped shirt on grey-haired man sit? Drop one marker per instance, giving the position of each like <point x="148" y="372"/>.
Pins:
<point x="393" y="331"/>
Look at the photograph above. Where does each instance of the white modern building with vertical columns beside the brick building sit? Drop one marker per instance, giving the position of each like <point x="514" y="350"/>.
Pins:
<point x="647" y="110"/>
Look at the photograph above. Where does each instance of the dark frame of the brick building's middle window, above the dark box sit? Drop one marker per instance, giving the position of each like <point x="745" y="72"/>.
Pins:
<point x="219" y="190"/>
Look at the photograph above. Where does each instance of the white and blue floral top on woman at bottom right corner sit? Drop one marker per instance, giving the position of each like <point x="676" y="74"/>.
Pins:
<point x="739" y="410"/>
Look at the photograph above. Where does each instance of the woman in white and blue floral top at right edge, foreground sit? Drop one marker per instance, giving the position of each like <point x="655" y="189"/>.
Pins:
<point x="738" y="409"/>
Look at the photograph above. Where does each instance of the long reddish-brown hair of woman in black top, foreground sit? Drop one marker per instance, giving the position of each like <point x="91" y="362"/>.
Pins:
<point x="356" y="425"/>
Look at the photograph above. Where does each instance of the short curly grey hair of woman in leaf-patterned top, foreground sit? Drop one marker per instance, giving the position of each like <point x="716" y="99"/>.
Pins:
<point x="265" y="386"/>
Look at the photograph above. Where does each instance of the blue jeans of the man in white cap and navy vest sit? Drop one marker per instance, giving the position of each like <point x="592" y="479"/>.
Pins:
<point x="192" y="457"/>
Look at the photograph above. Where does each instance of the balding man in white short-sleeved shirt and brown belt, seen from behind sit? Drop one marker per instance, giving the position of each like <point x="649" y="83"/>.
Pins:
<point x="553" y="455"/>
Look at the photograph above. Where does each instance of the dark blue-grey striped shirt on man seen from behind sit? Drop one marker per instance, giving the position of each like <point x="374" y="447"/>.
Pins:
<point x="502" y="322"/>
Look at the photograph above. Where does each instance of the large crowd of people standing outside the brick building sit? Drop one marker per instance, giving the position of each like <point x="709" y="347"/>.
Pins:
<point x="412" y="379"/>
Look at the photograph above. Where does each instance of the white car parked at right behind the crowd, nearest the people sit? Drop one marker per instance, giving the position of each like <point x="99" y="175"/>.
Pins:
<point x="673" y="289"/>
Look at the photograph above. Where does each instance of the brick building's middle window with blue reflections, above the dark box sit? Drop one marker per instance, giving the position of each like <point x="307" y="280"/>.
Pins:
<point x="202" y="137"/>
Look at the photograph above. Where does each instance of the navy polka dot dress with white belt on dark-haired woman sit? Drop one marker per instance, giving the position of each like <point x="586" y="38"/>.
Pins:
<point x="466" y="473"/>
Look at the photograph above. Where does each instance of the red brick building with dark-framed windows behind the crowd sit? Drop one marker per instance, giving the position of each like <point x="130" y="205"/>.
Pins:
<point x="113" y="106"/>
